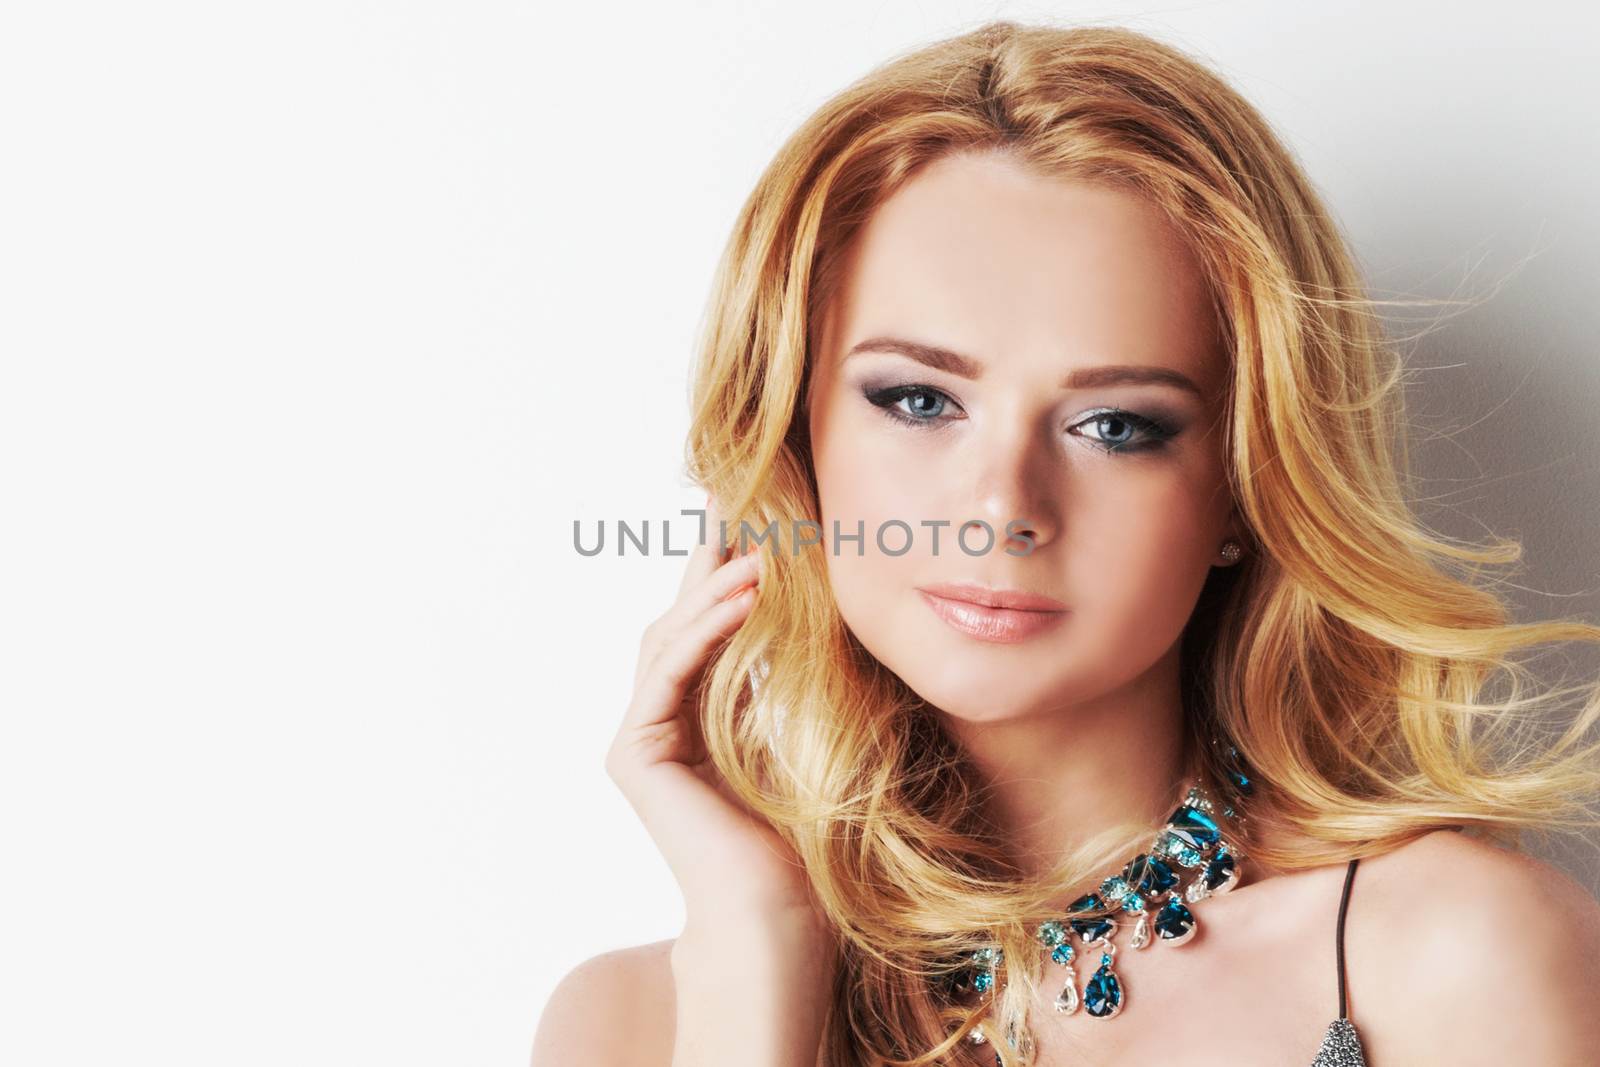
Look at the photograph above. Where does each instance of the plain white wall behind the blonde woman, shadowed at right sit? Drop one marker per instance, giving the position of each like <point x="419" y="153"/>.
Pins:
<point x="321" y="326"/>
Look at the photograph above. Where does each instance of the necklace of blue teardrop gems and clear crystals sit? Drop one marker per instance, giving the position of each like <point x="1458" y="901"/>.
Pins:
<point x="1188" y="860"/>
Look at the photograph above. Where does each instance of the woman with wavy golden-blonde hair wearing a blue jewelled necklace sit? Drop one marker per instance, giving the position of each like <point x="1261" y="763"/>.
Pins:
<point x="1057" y="391"/>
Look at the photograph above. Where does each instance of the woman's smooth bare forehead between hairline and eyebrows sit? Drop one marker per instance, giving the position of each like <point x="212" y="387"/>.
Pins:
<point x="983" y="255"/>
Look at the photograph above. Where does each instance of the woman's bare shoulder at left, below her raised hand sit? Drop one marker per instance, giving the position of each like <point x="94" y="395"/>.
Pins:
<point x="612" y="1010"/>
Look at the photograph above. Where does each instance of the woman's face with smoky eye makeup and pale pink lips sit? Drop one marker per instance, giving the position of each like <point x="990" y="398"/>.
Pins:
<point x="1009" y="348"/>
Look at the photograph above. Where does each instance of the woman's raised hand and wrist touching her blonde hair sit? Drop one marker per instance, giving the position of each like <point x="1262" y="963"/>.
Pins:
<point x="732" y="866"/>
